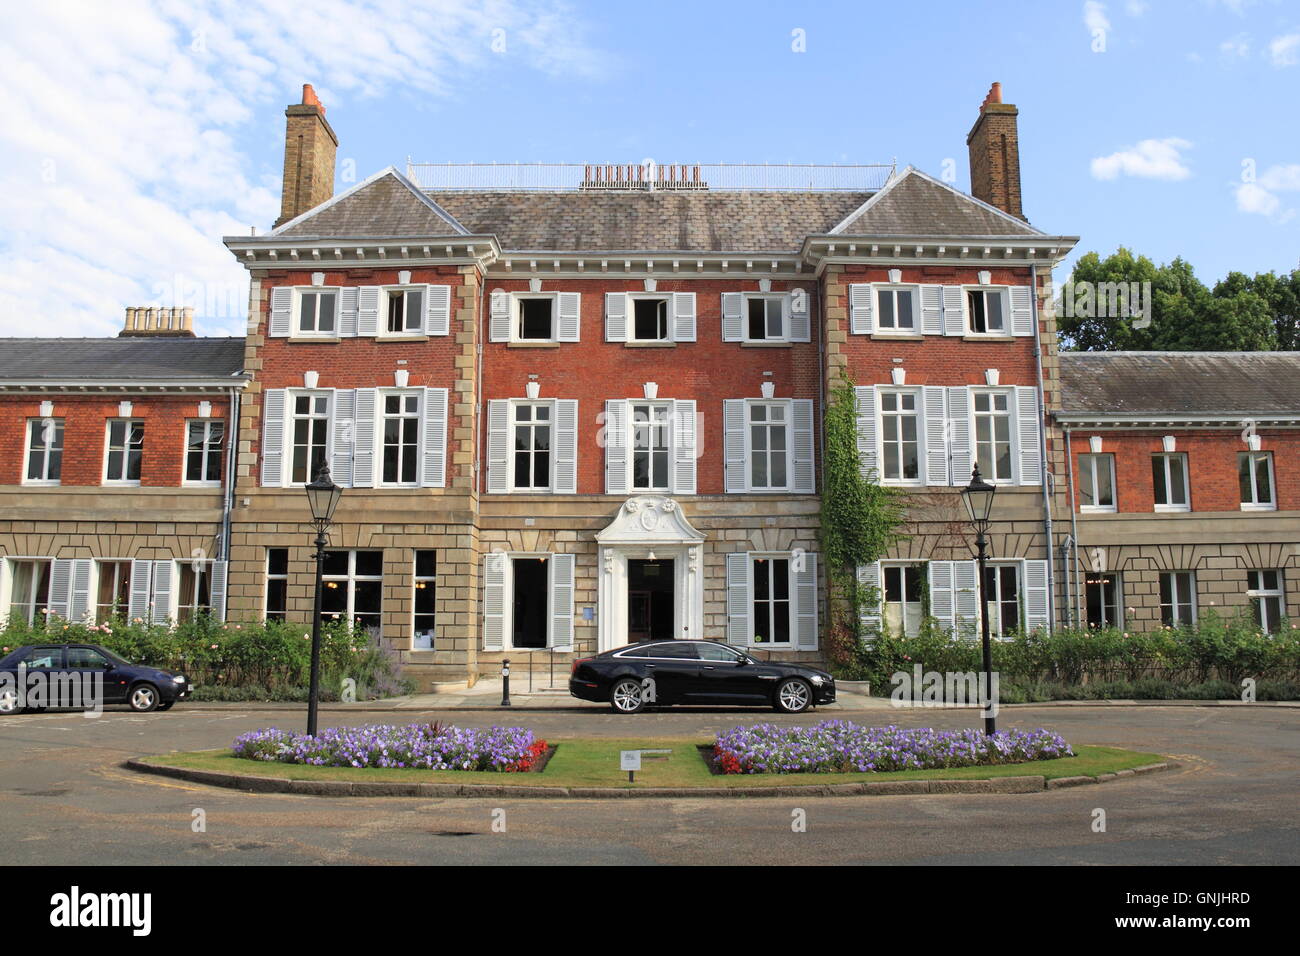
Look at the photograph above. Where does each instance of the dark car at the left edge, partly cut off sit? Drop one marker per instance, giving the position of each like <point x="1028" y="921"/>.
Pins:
<point x="84" y="676"/>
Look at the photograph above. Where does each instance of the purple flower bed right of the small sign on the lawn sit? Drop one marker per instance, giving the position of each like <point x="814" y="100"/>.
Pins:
<point x="834" y="747"/>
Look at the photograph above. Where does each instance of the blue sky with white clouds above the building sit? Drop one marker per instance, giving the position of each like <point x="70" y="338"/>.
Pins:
<point x="1164" y="126"/>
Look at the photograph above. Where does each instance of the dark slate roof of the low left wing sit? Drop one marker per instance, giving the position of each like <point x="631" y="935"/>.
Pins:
<point x="112" y="361"/>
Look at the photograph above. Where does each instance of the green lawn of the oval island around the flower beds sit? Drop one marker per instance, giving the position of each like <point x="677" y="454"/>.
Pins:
<point x="596" y="764"/>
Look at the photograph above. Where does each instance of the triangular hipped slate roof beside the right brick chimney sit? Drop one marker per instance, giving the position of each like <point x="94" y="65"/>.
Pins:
<point x="920" y="206"/>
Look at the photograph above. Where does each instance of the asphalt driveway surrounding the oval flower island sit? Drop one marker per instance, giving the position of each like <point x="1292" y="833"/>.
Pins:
<point x="66" y="801"/>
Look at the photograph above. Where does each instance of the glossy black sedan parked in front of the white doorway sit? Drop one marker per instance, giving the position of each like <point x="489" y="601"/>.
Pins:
<point x="679" y="672"/>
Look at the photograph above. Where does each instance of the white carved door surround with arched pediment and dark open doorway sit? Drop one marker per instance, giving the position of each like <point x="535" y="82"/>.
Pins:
<point x="651" y="565"/>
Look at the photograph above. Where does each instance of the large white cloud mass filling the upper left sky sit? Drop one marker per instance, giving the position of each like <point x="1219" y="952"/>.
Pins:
<point x="122" y="128"/>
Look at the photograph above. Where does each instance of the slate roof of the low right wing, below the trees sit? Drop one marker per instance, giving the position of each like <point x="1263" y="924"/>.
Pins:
<point x="1180" y="384"/>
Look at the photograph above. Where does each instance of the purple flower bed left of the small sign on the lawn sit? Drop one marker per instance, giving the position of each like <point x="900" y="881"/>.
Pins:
<point x="424" y="747"/>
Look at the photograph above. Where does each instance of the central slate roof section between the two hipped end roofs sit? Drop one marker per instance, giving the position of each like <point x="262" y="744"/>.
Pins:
<point x="649" y="222"/>
